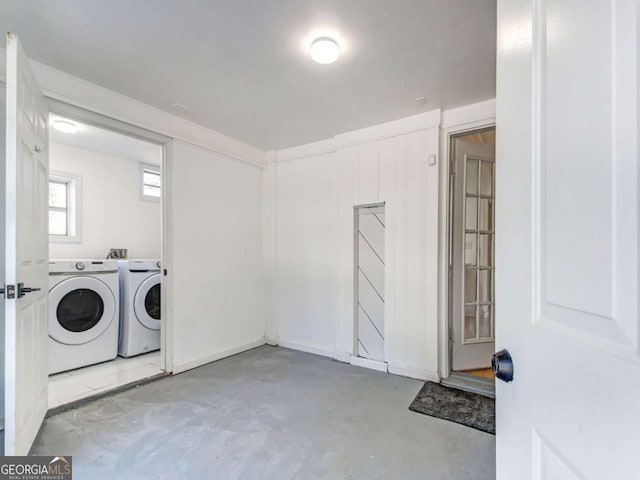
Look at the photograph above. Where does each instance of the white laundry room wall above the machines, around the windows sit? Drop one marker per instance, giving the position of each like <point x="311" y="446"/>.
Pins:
<point x="113" y="213"/>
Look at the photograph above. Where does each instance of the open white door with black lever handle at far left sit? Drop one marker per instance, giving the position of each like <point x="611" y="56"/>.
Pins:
<point x="26" y="254"/>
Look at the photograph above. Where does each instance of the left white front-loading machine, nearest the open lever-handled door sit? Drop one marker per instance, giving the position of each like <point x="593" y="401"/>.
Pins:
<point x="83" y="313"/>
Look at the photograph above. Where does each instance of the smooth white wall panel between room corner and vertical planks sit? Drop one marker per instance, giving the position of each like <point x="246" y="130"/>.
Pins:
<point x="308" y="252"/>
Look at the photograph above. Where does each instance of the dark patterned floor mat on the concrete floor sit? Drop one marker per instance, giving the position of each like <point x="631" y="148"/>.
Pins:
<point x="469" y="409"/>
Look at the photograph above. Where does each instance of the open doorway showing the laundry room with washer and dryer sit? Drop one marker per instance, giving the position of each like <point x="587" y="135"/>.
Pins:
<point x="105" y="267"/>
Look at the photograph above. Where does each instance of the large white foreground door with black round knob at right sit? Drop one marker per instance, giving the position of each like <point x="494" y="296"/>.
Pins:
<point x="567" y="239"/>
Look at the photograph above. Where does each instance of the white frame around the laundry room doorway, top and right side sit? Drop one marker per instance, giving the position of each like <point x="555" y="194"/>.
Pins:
<point x="166" y="143"/>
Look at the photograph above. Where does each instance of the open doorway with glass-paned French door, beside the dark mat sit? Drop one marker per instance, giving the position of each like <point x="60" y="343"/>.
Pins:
<point x="471" y="243"/>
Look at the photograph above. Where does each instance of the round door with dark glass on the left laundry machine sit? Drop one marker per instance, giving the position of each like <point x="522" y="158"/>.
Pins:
<point x="80" y="310"/>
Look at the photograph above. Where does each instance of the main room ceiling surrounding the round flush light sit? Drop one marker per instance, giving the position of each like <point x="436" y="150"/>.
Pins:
<point x="242" y="66"/>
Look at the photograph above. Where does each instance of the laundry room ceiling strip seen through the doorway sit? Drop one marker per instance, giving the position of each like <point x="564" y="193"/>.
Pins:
<point x="106" y="141"/>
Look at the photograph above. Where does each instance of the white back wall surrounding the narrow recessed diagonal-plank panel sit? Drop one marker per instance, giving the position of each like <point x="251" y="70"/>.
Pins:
<point x="314" y="258"/>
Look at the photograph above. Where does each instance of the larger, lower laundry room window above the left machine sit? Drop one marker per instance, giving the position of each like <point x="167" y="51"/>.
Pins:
<point x="64" y="201"/>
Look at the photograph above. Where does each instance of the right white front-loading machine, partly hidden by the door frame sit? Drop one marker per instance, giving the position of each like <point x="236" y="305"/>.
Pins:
<point x="140" y="307"/>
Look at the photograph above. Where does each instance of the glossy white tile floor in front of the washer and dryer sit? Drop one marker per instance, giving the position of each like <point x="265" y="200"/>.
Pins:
<point x="77" y="384"/>
